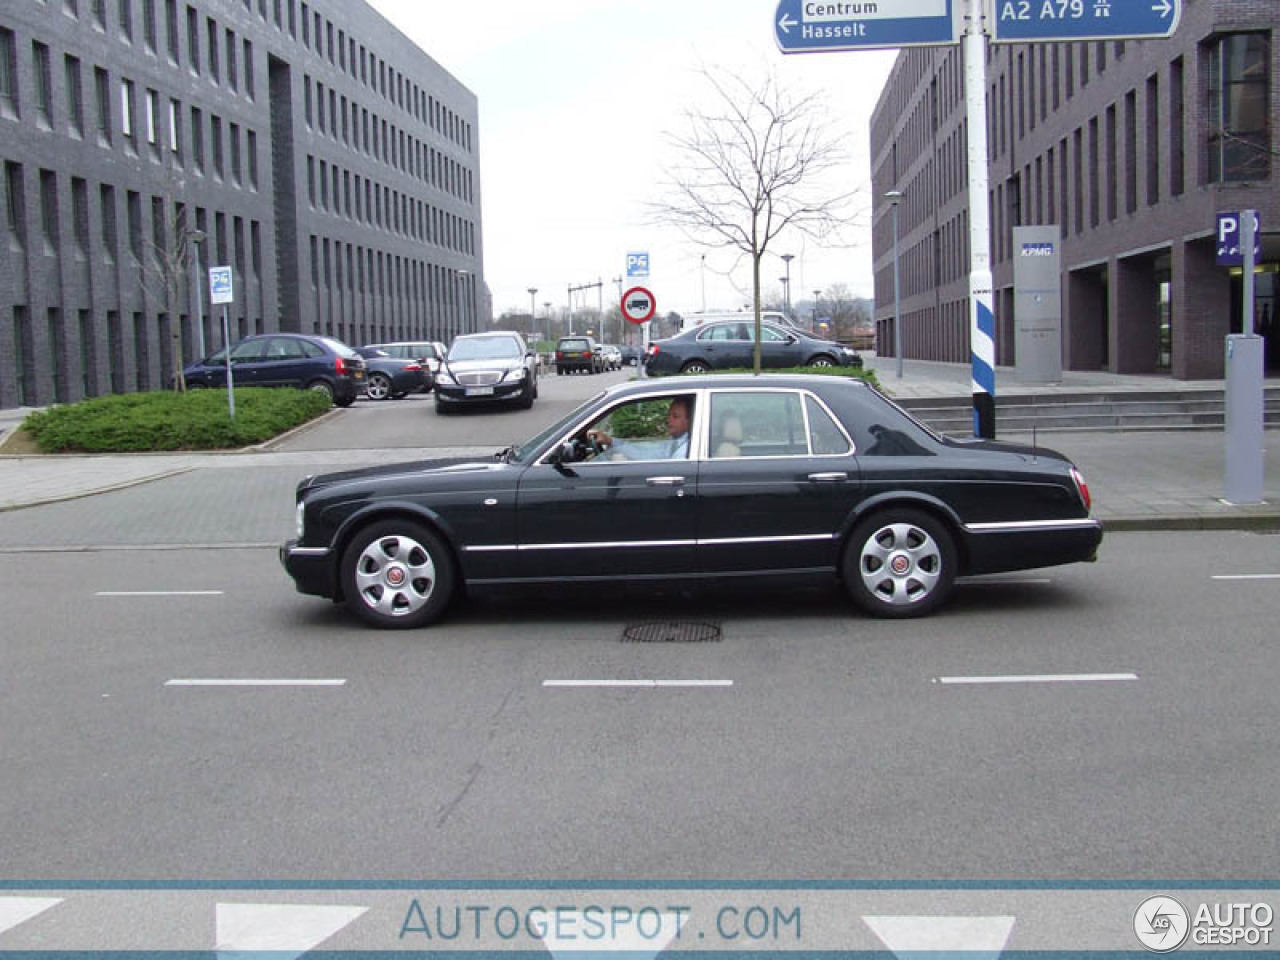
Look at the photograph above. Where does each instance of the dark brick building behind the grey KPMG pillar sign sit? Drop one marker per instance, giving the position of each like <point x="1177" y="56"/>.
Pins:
<point x="1131" y="149"/>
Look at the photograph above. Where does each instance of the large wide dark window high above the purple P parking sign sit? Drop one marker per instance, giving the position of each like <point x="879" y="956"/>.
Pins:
<point x="1240" y="130"/>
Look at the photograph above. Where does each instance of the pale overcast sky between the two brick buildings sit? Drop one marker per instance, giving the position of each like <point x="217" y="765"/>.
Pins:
<point x="575" y="98"/>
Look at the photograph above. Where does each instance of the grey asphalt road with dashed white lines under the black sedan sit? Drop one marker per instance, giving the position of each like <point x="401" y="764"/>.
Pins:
<point x="815" y="743"/>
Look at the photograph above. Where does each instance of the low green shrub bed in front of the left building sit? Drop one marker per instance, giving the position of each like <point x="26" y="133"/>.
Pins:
<point x="196" y="420"/>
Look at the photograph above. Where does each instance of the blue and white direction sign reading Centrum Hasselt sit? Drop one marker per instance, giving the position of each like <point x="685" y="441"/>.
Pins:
<point x="822" y="26"/>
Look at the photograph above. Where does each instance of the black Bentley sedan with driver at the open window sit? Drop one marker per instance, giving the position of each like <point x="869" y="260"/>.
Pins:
<point x="708" y="478"/>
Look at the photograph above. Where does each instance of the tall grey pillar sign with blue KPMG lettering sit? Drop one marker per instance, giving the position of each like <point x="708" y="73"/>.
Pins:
<point x="1037" y="305"/>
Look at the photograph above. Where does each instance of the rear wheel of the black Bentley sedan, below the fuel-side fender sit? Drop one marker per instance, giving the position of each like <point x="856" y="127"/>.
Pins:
<point x="900" y="564"/>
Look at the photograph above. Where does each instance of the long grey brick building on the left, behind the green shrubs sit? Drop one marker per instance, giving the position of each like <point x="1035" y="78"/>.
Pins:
<point x="309" y="145"/>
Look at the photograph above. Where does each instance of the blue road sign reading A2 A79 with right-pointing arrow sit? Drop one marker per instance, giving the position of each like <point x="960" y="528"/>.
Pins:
<point x="1017" y="21"/>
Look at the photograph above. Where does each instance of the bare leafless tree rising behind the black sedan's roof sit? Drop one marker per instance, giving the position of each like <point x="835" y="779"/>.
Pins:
<point x="756" y="164"/>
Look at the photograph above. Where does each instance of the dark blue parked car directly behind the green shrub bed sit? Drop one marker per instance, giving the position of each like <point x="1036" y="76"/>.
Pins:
<point x="286" y="360"/>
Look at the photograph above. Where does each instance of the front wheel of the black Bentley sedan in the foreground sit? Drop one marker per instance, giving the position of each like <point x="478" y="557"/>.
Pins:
<point x="396" y="574"/>
